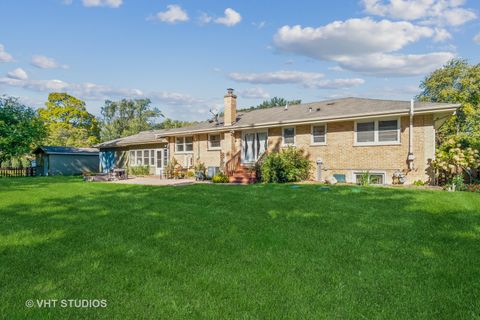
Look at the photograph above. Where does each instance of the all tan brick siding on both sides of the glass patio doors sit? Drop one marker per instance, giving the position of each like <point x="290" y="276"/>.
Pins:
<point x="339" y="155"/>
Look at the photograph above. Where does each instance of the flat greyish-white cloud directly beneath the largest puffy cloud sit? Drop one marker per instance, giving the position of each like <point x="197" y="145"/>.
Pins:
<point x="392" y="65"/>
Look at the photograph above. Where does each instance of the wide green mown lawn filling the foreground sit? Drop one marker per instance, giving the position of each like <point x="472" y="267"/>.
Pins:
<point x="249" y="252"/>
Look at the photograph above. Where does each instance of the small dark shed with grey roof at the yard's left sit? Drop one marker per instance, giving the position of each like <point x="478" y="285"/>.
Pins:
<point x="66" y="160"/>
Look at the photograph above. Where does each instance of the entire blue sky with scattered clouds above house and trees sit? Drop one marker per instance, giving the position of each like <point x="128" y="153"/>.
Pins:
<point x="183" y="55"/>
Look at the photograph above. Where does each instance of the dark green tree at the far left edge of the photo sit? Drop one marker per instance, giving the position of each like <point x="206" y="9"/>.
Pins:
<point x="20" y="129"/>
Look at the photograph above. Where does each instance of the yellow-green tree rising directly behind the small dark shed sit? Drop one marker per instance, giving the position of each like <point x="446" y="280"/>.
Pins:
<point x="68" y="122"/>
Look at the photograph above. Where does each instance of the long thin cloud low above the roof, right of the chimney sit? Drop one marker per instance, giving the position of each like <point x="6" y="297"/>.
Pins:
<point x="305" y="79"/>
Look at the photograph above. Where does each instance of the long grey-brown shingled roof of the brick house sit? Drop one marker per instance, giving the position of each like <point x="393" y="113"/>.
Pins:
<point x="329" y="110"/>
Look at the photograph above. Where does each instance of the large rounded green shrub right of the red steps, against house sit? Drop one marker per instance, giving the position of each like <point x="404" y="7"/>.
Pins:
<point x="288" y="165"/>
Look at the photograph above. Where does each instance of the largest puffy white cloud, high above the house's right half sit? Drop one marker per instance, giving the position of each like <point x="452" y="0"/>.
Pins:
<point x="350" y="37"/>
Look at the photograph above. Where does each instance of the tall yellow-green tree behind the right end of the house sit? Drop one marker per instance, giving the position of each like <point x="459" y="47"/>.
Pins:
<point x="457" y="82"/>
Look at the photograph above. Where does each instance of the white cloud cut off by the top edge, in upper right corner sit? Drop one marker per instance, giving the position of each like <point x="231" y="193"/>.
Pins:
<point x="440" y="12"/>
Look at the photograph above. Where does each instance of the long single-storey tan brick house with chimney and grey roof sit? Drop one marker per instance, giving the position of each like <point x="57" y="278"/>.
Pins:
<point x="342" y="137"/>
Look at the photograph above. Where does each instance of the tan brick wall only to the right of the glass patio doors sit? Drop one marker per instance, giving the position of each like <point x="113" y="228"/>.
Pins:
<point x="341" y="156"/>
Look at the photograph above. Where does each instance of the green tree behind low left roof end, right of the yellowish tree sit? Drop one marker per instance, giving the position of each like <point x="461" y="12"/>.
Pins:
<point x="126" y="117"/>
